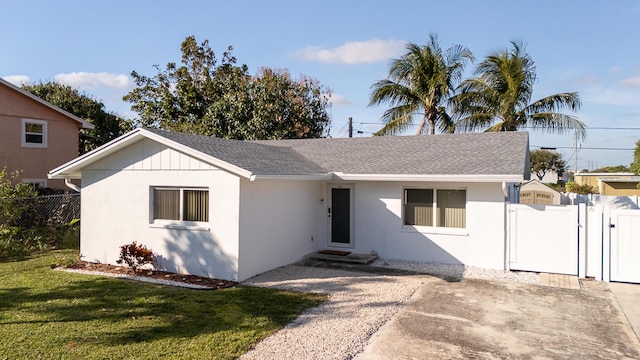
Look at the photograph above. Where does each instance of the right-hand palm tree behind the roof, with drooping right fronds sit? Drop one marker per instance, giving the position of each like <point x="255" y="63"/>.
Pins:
<point x="499" y="99"/>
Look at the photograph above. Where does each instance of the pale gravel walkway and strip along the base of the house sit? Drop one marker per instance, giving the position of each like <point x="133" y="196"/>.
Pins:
<point x="359" y="304"/>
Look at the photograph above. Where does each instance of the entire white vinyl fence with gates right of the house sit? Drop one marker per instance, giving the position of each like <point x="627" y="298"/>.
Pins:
<point x="595" y="241"/>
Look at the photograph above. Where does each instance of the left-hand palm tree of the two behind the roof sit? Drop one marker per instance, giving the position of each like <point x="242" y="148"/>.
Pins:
<point x="421" y="82"/>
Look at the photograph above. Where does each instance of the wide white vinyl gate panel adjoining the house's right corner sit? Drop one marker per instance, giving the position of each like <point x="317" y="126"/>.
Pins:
<point x="543" y="238"/>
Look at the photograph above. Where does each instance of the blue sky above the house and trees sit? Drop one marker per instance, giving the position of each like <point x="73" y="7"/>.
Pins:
<point x="584" y="46"/>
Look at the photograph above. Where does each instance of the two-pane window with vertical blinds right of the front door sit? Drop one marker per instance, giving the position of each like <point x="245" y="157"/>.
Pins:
<point x="435" y="207"/>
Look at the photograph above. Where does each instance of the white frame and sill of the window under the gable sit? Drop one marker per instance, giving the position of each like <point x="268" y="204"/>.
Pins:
<point x="180" y="223"/>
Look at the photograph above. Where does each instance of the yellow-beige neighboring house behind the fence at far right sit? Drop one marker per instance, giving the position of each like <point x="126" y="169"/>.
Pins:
<point x="617" y="184"/>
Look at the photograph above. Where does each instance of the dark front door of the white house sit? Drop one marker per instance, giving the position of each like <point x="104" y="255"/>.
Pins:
<point x="339" y="212"/>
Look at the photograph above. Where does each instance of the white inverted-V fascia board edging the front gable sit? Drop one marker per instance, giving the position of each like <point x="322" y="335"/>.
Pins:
<point x="72" y="169"/>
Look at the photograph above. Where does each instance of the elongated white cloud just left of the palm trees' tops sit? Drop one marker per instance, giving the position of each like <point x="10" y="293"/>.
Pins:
<point x="354" y="52"/>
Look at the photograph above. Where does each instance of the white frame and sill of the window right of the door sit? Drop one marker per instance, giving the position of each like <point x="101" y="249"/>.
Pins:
<point x="434" y="229"/>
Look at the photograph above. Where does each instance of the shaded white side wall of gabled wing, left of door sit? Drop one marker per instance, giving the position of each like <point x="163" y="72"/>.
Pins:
<point x="278" y="223"/>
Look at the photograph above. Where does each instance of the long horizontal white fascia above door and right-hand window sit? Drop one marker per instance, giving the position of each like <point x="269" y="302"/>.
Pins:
<point x="431" y="178"/>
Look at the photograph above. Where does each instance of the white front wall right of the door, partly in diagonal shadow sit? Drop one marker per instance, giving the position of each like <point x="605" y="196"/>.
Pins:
<point x="378" y="226"/>
